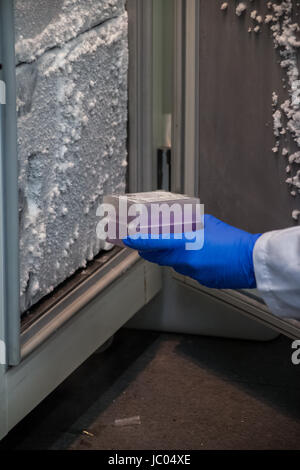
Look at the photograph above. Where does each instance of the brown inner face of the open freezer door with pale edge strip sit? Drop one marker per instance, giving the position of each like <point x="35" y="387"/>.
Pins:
<point x="239" y="168"/>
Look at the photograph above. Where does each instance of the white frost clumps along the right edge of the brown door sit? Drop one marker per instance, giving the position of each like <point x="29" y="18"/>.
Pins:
<point x="286" y="115"/>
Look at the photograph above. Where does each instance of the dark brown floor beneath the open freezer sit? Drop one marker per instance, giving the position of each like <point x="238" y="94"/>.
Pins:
<point x="190" y="393"/>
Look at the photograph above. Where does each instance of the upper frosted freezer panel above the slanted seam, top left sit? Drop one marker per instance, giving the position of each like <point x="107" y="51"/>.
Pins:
<point x="43" y="24"/>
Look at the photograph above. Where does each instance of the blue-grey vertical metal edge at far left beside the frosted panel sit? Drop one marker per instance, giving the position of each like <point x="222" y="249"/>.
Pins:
<point x="9" y="190"/>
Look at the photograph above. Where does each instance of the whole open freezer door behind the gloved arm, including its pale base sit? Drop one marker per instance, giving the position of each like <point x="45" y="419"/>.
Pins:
<point x="230" y="147"/>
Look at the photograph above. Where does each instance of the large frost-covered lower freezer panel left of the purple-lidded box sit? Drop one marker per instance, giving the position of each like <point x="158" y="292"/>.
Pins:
<point x="72" y="132"/>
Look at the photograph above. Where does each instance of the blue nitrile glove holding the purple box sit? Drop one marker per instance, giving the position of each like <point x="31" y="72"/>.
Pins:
<point x="224" y="262"/>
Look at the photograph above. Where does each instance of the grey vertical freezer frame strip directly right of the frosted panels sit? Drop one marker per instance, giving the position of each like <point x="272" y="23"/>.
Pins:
<point x="141" y="166"/>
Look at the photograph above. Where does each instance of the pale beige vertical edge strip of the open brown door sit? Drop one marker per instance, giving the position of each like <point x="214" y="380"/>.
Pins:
<point x="185" y="143"/>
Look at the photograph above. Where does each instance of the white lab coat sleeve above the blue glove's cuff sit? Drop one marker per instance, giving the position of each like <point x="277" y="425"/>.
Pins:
<point x="276" y="257"/>
